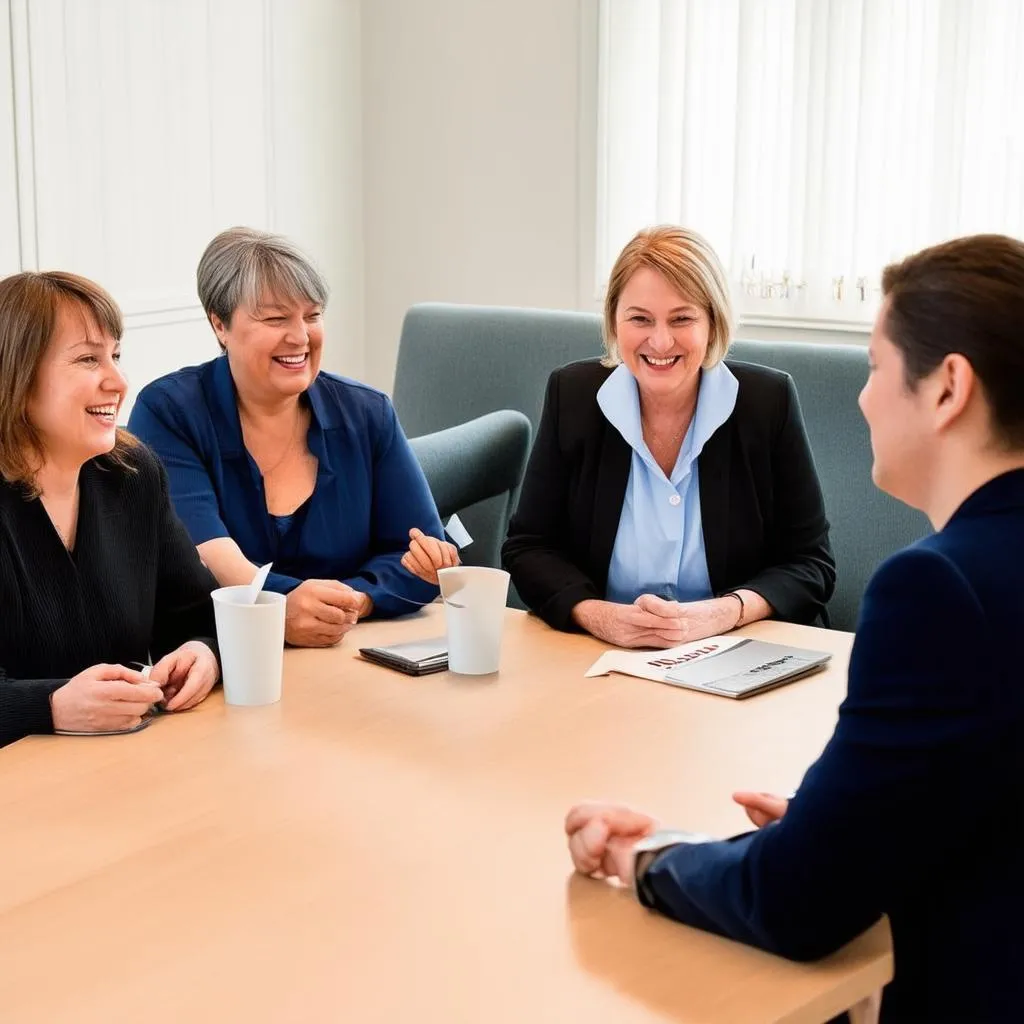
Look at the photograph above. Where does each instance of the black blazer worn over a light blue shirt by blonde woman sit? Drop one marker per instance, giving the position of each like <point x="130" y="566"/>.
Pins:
<point x="763" y="516"/>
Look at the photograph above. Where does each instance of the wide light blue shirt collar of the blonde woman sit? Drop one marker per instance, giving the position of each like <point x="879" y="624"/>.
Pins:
<point x="619" y="399"/>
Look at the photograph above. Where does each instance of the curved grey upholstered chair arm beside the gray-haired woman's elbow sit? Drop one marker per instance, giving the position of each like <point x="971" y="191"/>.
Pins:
<point x="475" y="470"/>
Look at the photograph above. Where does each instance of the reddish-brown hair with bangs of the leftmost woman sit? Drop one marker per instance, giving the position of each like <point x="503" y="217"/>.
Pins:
<point x="30" y="305"/>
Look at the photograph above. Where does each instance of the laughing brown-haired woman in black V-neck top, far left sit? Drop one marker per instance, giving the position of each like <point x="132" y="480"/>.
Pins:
<point x="97" y="572"/>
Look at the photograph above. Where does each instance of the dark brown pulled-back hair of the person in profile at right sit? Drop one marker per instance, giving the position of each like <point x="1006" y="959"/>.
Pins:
<point x="965" y="296"/>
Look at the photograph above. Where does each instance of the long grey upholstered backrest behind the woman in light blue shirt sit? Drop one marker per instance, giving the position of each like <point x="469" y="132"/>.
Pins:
<point x="460" y="362"/>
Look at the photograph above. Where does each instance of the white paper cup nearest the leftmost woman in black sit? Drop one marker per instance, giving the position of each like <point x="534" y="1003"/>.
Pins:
<point x="252" y="645"/>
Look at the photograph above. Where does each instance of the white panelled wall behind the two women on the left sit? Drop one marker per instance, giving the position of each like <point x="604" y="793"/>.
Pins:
<point x="135" y="131"/>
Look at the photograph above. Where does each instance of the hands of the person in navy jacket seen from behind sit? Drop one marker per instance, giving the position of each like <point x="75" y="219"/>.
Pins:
<point x="602" y="837"/>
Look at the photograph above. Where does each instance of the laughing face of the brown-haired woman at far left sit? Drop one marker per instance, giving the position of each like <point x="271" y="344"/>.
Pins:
<point x="78" y="391"/>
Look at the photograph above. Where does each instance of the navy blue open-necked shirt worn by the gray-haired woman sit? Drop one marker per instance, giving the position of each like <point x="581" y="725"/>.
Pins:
<point x="370" y="489"/>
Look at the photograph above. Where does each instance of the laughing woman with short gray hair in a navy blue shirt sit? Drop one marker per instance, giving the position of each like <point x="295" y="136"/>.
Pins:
<point x="272" y="460"/>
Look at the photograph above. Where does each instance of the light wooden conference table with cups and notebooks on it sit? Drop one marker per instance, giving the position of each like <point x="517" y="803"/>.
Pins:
<point x="385" y="848"/>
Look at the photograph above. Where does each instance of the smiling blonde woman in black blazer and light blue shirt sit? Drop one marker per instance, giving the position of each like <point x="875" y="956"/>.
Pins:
<point x="670" y="496"/>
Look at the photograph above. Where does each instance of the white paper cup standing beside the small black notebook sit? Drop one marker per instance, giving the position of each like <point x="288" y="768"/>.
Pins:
<point x="475" y="614"/>
